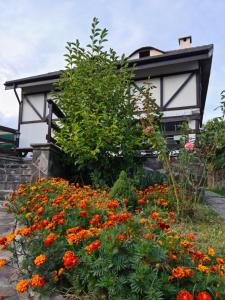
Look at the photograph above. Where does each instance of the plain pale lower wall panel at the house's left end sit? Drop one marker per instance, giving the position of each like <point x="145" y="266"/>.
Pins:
<point x="32" y="133"/>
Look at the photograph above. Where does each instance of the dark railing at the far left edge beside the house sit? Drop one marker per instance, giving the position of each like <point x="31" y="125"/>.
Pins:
<point x="9" y="140"/>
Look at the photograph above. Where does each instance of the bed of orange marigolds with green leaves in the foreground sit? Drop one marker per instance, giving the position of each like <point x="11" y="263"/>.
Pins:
<point x="80" y="239"/>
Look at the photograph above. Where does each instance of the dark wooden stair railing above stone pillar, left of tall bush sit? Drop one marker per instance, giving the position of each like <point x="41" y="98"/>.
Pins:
<point x="53" y="110"/>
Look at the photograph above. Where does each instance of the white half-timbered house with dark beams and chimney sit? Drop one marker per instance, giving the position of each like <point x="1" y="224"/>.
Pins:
<point x="180" y="78"/>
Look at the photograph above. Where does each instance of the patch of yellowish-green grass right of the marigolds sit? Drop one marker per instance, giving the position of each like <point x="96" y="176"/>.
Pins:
<point x="208" y="227"/>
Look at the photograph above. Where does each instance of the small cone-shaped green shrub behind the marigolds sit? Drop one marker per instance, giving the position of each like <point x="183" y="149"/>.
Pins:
<point x="123" y="189"/>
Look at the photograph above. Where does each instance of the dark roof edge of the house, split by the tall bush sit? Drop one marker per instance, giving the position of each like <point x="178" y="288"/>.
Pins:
<point x="166" y="56"/>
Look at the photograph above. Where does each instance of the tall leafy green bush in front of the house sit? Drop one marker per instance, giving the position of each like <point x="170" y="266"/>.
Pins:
<point x="94" y="93"/>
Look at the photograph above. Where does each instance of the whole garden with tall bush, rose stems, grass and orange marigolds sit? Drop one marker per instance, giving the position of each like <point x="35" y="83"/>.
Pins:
<point x="114" y="230"/>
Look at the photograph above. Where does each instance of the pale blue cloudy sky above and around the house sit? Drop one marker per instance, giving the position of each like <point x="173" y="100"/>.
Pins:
<point x="33" y="35"/>
